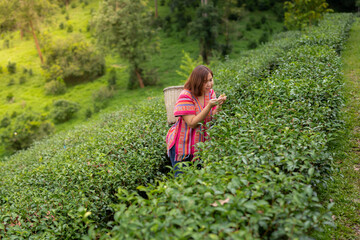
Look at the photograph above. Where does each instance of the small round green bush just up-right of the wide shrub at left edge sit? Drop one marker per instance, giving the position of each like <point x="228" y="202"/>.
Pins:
<point x="63" y="110"/>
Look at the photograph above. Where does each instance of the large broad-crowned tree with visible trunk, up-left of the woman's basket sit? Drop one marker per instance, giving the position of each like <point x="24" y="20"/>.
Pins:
<point x="125" y="25"/>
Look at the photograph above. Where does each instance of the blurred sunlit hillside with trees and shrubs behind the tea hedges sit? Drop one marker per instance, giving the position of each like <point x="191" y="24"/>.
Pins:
<point x="63" y="62"/>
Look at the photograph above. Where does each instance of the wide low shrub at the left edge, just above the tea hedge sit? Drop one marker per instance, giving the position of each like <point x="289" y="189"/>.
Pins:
<point x="26" y="128"/>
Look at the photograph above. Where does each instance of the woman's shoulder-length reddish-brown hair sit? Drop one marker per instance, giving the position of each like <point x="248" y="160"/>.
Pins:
<point x="197" y="79"/>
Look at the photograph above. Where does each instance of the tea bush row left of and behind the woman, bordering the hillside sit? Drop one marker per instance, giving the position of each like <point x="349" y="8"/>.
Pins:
<point x="41" y="189"/>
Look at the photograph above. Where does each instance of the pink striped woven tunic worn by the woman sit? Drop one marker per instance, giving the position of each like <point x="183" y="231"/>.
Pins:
<point x="180" y="134"/>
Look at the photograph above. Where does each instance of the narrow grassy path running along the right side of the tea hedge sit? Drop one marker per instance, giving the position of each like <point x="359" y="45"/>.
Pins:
<point x="344" y="190"/>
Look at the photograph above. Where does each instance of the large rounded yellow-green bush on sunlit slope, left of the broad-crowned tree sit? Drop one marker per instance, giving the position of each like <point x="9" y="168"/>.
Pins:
<point x="86" y="62"/>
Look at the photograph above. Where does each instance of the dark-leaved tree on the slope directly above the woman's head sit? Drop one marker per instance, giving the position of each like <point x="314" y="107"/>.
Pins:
<point x="206" y="28"/>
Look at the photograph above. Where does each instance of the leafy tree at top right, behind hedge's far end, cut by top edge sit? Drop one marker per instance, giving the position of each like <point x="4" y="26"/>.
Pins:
<point x="302" y="13"/>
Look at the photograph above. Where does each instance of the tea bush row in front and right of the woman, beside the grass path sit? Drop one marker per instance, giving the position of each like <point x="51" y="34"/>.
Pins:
<point x="269" y="148"/>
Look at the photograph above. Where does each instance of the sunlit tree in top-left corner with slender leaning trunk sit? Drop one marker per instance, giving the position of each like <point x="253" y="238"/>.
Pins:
<point x="27" y="14"/>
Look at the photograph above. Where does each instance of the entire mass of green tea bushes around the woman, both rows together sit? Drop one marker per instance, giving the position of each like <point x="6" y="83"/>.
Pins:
<point x="270" y="146"/>
